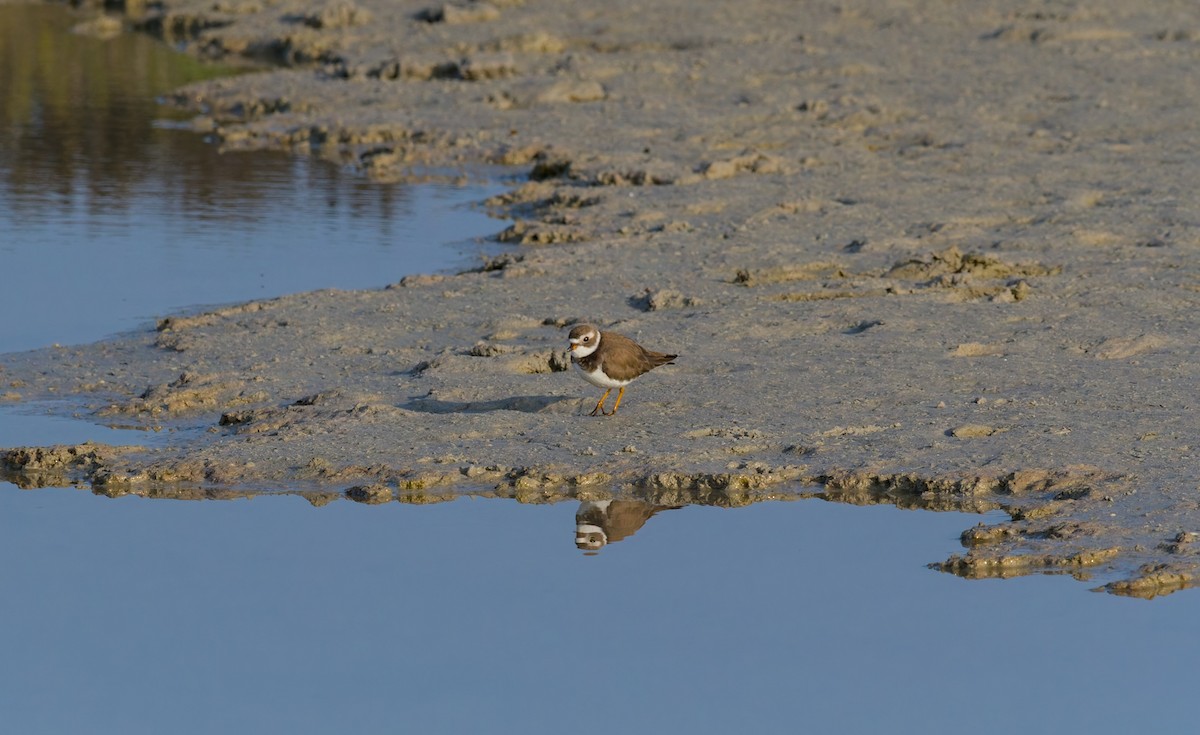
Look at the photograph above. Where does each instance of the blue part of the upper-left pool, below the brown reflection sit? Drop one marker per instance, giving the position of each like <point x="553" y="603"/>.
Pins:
<point x="85" y="278"/>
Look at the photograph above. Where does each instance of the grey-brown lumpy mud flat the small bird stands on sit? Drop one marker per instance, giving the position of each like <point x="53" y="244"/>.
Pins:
<point x="904" y="252"/>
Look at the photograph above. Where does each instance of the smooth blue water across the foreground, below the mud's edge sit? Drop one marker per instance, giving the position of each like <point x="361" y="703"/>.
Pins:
<point x="134" y="616"/>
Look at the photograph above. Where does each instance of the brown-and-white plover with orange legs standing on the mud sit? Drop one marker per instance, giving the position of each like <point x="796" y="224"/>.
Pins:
<point x="611" y="361"/>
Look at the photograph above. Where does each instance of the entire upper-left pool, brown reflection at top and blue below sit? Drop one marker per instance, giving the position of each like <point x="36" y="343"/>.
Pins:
<point x="112" y="213"/>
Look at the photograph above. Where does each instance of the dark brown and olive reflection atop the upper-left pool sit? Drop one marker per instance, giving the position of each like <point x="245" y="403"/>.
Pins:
<point x="81" y="122"/>
